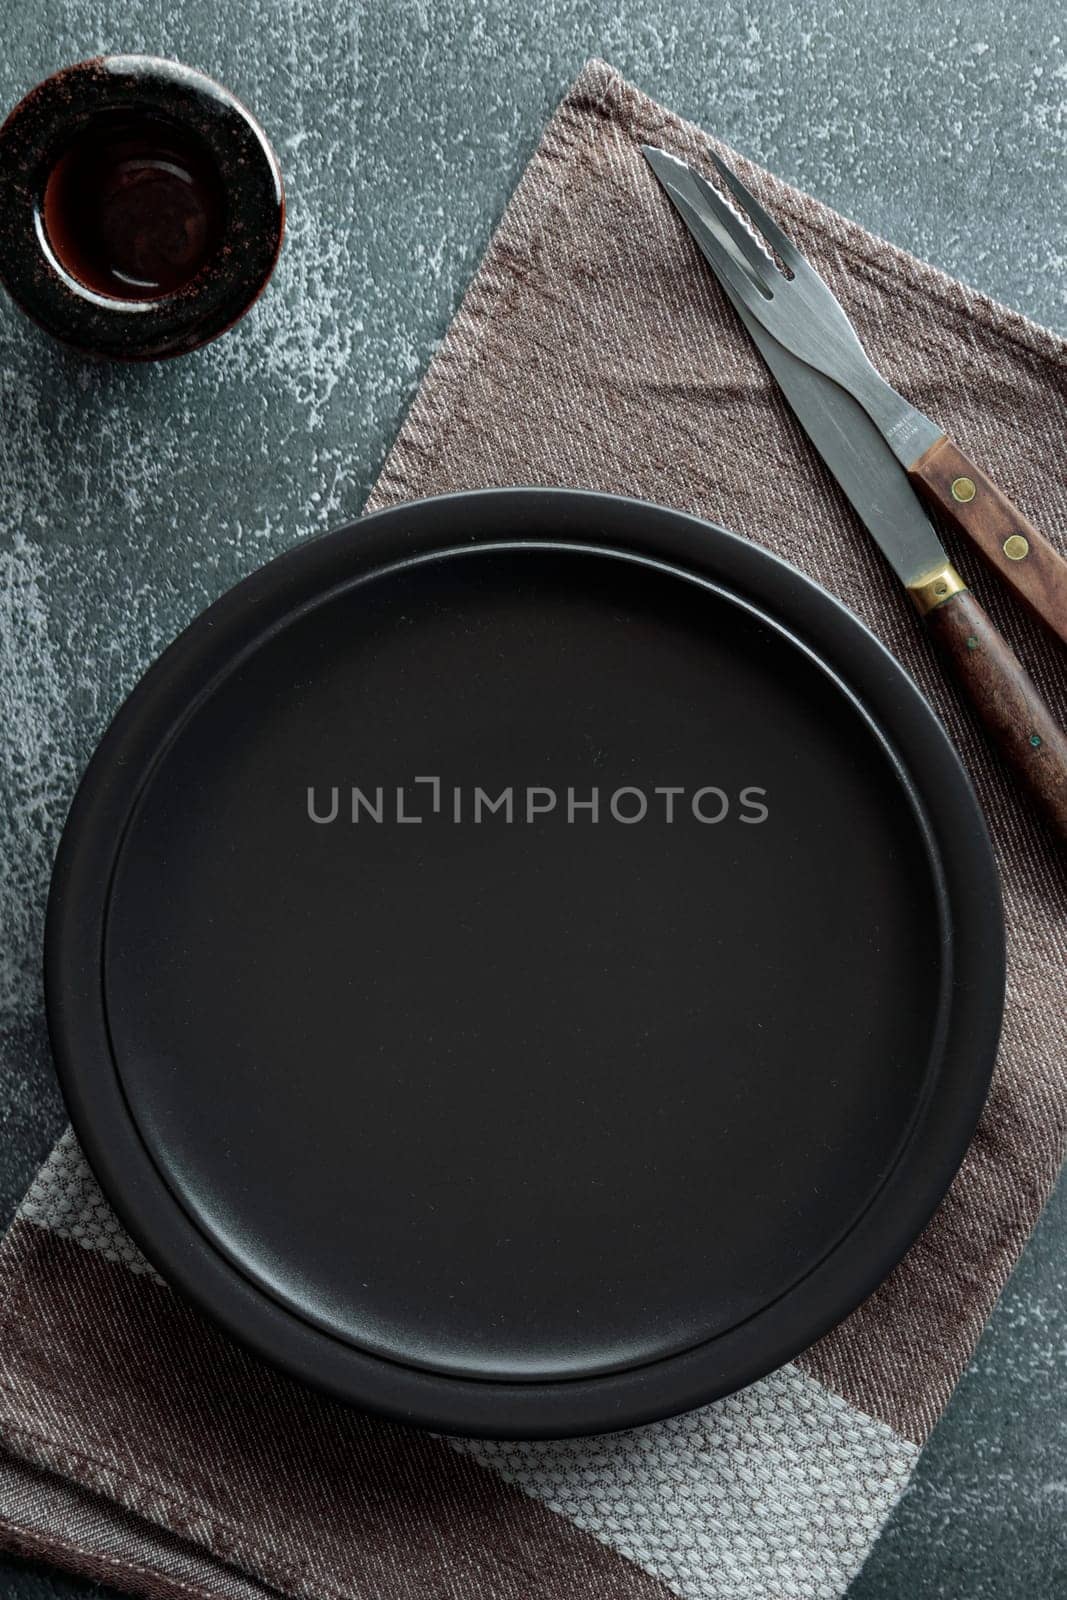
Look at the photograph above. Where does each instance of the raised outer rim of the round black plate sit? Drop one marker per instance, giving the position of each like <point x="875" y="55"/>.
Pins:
<point x="494" y="1407"/>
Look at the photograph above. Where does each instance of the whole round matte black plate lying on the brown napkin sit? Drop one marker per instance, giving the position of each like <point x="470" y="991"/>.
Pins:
<point x="527" y="1119"/>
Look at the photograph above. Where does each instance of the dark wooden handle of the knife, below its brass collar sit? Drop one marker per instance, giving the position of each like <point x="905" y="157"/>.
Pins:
<point x="1002" y="694"/>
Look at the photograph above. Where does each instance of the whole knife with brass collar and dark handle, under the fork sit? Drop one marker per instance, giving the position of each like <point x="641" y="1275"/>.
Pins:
<point x="877" y="487"/>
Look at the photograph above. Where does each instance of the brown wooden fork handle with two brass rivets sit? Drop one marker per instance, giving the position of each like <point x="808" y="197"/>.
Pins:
<point x="1012" y="545"/>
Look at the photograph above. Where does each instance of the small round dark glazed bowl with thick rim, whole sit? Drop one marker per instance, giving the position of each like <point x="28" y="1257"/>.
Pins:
<point x="142" y="207"/>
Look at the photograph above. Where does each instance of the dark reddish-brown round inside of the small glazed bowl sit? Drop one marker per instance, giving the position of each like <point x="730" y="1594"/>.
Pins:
<point x="134" y="210"/>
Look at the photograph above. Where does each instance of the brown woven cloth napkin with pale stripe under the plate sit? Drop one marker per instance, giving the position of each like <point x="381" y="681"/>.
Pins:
<point x="143" y="1447"/>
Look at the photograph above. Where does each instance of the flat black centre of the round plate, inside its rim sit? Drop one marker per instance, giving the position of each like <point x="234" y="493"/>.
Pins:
<point x="529" y="1089"/>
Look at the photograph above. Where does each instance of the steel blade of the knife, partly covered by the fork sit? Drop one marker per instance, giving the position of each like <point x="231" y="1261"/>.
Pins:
<point x="850" y="444"/>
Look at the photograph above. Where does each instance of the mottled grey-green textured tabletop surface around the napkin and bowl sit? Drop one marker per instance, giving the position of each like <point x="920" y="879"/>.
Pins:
<point x="132" y="498"/>
